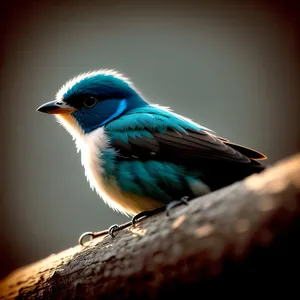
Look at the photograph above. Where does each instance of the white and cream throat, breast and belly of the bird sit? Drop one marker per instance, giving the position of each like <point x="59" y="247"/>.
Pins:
<point x="90" y="146"/>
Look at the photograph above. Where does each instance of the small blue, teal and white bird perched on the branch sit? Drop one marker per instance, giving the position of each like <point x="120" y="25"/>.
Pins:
<point x="139" y="156"/>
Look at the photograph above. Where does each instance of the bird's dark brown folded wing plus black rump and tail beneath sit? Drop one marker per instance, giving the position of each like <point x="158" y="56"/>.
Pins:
<point x="220" y="162"/>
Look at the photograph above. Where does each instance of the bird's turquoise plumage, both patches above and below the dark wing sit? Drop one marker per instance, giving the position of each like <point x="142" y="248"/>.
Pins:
<point x="160" y="180"/>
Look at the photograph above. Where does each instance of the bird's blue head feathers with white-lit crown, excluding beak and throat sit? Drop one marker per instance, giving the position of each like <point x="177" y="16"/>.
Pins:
<point x="99" y="97"/>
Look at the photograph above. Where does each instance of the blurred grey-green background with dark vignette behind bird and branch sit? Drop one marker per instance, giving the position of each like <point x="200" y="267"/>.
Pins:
<point x="232" y="66"/>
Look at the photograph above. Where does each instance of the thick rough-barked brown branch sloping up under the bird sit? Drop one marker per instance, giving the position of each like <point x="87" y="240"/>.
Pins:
<point x="237" y="241"/>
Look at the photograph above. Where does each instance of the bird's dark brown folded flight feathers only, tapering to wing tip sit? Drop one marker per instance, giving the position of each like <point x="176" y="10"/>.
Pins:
<point x="186" y="148"/>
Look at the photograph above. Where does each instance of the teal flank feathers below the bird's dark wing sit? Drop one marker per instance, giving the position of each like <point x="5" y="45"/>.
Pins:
<point x="159" y="180"/>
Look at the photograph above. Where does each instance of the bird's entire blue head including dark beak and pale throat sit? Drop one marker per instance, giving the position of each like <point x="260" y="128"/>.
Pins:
<point x="93" y="99"/>
